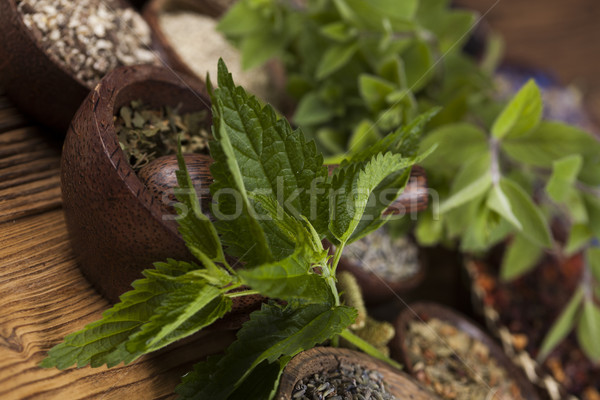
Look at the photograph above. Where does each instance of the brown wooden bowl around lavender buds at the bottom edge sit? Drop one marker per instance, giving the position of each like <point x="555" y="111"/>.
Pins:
<point x="323" y="359"/>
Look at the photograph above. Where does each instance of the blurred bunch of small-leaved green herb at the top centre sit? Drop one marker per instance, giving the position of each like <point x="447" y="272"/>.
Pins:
<point x="360" y="69"/>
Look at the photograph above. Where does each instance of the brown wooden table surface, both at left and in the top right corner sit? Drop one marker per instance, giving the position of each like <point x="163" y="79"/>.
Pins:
<point x="45" y="296"/>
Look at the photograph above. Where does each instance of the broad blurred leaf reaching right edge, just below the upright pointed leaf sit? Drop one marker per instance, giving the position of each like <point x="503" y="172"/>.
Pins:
<point x="552" y="141"/>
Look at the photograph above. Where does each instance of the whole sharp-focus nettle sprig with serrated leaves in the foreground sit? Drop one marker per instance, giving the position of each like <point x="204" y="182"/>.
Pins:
<point x="277" y="238"/>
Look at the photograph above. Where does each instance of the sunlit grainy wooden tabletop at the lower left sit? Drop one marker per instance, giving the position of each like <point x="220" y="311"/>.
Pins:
<point x="44" y="296"/>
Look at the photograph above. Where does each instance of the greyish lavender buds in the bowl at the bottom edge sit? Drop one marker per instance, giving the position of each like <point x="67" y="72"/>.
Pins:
<point x="348" y="382"/>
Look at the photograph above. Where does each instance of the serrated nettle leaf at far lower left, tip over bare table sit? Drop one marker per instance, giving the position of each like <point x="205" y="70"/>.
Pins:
<point x="103" y="341"/>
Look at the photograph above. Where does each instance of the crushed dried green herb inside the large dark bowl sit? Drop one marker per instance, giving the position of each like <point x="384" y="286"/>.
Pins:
<point x="146" y="133"/>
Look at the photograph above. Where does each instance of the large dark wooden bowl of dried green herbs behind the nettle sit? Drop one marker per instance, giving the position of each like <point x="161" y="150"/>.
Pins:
<point x="115" y="222"/>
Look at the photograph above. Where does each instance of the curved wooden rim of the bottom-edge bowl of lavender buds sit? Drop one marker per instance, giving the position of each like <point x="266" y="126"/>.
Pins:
<point x="318" y="359"/>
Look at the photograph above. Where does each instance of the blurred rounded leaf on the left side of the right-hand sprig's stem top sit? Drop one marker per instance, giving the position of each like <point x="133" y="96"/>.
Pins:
<point x="457" y="143"/>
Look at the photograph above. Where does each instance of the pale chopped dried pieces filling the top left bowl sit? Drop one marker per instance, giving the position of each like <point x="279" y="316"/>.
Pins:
<point x="88" y="37"/>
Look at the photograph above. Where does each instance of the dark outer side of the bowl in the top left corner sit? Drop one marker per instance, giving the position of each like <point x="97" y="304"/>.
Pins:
<point x="35" y="84"/>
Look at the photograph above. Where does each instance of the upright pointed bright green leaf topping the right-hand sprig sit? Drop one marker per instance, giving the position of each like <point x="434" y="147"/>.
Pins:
<point x="521" y="115"/>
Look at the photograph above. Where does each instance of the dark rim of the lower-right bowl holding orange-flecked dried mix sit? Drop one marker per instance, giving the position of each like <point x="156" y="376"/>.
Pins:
<point x="426" y="311"/>
